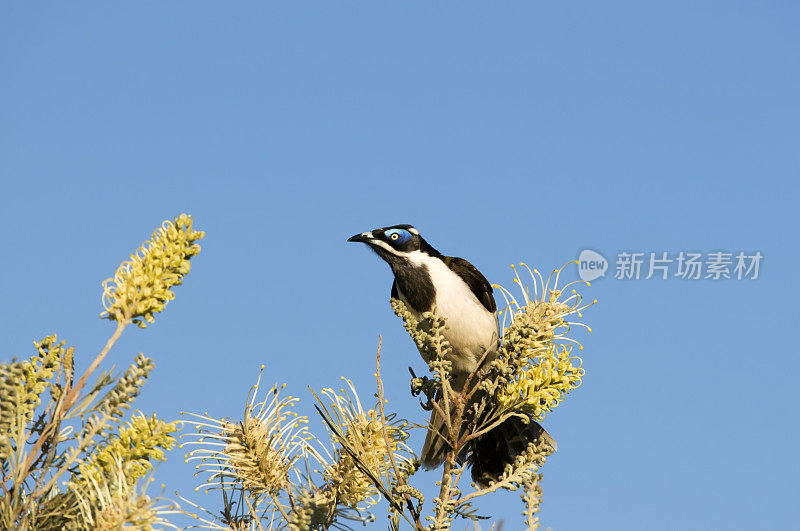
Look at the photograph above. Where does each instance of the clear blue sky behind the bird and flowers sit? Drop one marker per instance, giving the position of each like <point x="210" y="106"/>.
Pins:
<point x="516" y="131"/>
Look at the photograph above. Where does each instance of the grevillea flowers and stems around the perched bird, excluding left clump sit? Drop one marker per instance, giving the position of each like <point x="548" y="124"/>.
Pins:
<point x="273" y="473"/>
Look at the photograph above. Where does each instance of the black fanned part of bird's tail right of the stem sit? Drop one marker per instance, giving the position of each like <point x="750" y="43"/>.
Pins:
<point x="498" y="448"/>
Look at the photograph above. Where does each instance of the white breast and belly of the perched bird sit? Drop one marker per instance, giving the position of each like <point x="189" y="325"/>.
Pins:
<point x="470" y="328"/>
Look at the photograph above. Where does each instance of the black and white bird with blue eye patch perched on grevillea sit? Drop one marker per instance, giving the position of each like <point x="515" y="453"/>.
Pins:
<point x="427" y="281"/>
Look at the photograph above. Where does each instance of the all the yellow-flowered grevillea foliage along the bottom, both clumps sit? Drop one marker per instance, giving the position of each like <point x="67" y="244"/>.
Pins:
<point x="70" y="459"/>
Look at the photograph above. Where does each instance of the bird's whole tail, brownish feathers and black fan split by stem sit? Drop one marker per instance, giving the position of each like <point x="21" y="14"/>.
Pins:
<point x="491" y="452"/>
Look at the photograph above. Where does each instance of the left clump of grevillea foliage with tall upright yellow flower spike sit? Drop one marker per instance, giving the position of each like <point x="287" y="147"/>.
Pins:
<point x="55" y="426"/>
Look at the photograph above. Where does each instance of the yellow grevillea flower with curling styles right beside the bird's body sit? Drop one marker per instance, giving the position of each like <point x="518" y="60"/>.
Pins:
<point x="536" y="351"/>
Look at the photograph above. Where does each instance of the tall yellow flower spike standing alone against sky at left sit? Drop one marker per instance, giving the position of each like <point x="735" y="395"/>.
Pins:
<point x="141" y="285"/>
